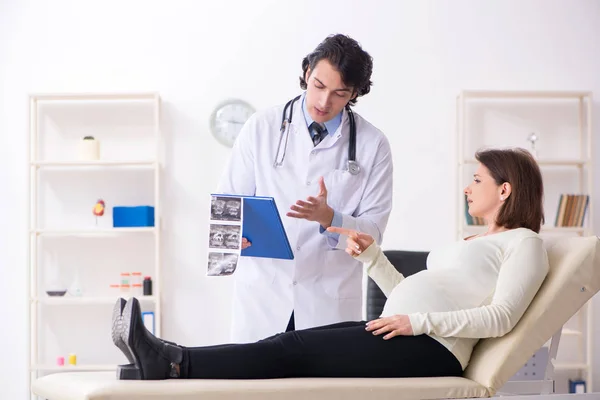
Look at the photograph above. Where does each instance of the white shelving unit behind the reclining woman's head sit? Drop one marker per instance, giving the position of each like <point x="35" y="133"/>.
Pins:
<point x="517" y="111"/>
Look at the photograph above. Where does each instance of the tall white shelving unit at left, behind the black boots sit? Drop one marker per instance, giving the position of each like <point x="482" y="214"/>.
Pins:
<point x="63" y="162"/>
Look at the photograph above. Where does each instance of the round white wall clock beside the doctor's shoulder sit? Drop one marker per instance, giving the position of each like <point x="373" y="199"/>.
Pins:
<point x="227" y="120"/>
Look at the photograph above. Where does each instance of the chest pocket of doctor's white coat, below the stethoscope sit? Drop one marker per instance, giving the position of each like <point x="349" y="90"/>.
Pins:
<point x="343" y="190"/>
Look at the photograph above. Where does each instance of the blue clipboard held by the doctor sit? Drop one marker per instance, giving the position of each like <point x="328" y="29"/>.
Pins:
<point x="262" y="226"/>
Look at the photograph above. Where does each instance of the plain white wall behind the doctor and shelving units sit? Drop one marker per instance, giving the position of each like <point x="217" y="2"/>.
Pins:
<point x="197" y="53"/>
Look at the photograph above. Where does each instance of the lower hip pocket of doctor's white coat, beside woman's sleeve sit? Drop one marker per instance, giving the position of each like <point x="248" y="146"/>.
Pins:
<point x="340" y="277"/>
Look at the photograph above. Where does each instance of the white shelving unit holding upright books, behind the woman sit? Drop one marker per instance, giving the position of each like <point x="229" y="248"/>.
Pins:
<point x="581" y="163"/>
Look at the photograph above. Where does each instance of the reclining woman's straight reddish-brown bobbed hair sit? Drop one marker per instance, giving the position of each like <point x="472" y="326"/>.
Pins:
<point x="524" y="208"/>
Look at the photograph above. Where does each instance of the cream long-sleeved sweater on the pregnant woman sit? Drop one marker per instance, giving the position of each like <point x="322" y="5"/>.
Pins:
<point x="471" y="289"/>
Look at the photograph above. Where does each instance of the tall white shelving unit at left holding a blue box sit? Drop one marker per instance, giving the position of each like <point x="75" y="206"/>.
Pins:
<point x="53" y="169"/>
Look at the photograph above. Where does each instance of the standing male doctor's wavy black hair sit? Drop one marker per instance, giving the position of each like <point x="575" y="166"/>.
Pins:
<point x="353" y="63"/>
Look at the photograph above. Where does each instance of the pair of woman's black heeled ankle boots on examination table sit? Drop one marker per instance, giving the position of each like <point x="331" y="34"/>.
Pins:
<point x="153" y="358"/>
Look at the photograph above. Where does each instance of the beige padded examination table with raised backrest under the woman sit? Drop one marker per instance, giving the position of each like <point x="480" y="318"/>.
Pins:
<point x="573" y="279"/>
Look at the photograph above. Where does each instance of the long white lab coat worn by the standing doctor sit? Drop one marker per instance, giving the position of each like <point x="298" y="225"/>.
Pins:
<point x="323" y="284"/>
